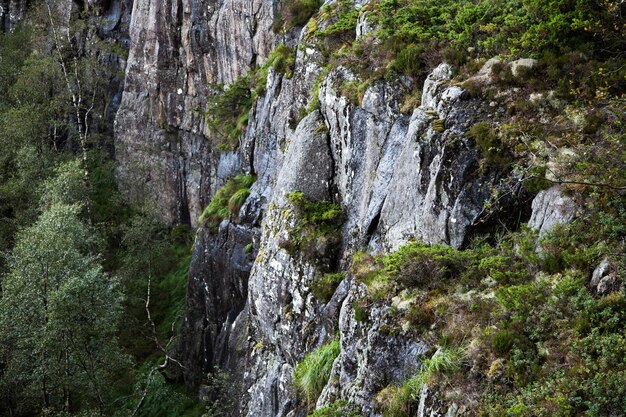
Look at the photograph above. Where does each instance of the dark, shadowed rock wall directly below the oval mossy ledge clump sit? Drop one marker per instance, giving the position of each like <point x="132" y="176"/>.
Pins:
<point x="216" y="293"/>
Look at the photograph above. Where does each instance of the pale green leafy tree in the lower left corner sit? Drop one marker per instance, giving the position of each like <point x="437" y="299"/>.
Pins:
<point x="58" y="305"/>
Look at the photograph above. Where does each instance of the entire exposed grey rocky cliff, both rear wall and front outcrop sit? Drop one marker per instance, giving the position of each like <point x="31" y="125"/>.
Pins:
<point x="396" y="176"/>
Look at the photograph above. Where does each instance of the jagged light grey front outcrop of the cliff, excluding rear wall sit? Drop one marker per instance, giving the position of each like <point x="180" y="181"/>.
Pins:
<point x="397" y="178"/>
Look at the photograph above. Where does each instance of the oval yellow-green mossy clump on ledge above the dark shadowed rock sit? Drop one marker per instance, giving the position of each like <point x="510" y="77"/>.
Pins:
<point x="227" y="200"/>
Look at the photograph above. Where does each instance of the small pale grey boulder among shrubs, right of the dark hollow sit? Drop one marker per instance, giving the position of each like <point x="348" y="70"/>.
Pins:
<point x="550" y="208"/>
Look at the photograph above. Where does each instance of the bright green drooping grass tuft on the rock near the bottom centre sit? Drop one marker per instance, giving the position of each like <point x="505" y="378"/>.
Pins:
<point x="311" y="375"/>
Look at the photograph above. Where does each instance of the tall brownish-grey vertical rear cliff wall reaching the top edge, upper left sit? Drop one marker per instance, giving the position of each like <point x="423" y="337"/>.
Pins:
<point x="162" y="143"/>
